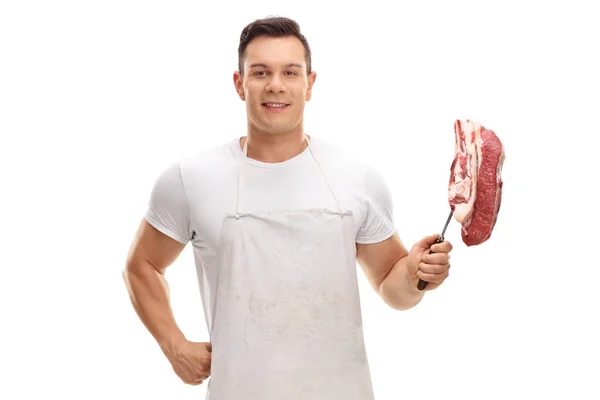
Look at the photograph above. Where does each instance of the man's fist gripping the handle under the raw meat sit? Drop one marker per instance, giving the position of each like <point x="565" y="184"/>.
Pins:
<point x="431" y="267"/>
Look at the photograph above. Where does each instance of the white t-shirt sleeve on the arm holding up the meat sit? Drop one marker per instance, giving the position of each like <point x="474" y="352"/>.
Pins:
<point x="378" y="223"/>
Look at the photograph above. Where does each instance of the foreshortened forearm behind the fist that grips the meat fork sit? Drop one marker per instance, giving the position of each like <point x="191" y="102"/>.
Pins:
<point x="397" y="290"/>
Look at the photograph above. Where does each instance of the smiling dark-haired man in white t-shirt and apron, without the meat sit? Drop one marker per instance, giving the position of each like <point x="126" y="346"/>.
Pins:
<point x="277" y="220"/>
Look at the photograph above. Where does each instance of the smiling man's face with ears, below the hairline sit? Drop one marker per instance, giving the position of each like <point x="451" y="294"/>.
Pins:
<point x="275" y="85"/>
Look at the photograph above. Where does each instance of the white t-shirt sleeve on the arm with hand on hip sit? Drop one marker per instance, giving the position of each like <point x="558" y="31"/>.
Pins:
<point x="168" y="208"/>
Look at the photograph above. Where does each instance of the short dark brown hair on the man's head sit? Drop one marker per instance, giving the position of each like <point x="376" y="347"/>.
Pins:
<point x="273" y="27"/>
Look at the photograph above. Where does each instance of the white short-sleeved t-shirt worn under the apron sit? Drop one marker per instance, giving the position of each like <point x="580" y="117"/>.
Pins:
<point x="190" y="198"/>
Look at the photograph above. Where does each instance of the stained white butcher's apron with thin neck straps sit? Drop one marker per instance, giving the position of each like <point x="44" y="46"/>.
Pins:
<point x="286" y="322"/>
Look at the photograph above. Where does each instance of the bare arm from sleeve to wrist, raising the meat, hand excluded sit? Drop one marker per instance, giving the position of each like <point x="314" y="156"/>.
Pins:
<point x="385" y="266"/>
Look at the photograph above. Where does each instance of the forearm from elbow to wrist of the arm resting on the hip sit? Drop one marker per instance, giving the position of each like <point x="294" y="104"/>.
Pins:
<point x="149" y="295"/>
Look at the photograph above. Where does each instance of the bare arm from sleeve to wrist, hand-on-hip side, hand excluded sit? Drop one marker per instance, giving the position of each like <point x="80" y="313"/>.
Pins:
<point x="149" y="256"/>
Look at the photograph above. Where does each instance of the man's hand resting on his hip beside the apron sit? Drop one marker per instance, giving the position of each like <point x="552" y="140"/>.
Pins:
<point x="191" y="361"/>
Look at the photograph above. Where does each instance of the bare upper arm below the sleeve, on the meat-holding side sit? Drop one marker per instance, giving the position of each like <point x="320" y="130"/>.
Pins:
<point x="378" y="259"/>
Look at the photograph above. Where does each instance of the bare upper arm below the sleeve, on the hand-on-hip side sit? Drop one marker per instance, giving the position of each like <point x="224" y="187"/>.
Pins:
<point x="154" y="247"/>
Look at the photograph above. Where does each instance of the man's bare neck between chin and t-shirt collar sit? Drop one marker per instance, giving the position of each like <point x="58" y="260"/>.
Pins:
<point x="271" y="148"/>
